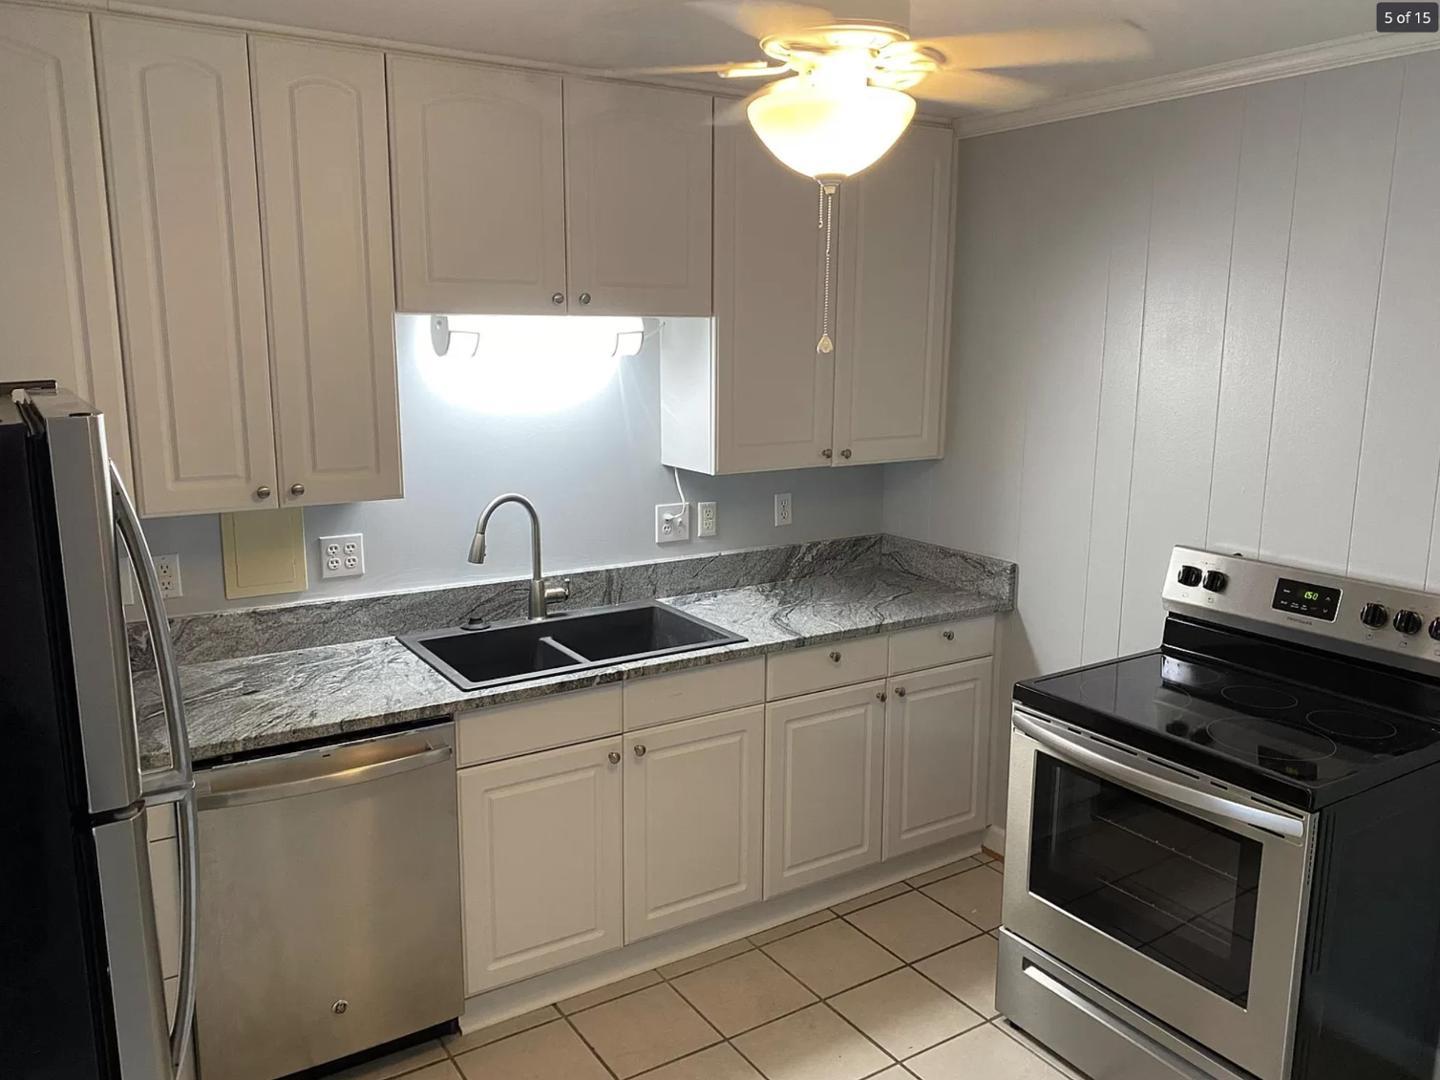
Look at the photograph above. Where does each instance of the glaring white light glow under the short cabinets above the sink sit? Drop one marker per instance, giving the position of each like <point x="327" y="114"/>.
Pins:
<point x="526" y="365"/>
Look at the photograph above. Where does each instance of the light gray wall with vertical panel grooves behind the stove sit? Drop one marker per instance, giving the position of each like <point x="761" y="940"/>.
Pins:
<point x="1213" y="322"/>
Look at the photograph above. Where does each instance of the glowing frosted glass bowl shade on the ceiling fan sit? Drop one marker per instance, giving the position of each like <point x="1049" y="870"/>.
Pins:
<point x="829" y="133"/>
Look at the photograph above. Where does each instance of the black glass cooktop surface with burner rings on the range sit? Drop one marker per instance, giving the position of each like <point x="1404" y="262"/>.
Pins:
<point x="1207" y="714"/>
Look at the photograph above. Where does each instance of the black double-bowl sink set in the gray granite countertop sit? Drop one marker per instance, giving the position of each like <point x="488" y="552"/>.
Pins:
<point x="567" y="642"/>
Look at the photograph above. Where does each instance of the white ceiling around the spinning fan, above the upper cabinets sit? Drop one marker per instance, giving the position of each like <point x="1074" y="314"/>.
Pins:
<point x="629" y="34"/>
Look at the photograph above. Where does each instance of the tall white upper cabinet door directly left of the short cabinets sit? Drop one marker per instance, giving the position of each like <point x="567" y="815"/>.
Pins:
<point x="325" y="182"/>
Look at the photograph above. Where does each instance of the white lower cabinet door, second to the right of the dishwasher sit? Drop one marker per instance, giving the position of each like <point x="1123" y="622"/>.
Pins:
<point x="693" y="820"/>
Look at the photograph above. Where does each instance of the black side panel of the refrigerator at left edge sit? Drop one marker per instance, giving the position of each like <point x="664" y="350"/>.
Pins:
<point x="55" y="1003"/>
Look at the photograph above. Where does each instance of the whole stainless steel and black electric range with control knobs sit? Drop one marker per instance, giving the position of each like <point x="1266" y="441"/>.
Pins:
<point x="1225" y="855"/>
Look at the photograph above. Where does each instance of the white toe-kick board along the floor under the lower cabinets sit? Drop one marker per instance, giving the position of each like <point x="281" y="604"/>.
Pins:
<point x="535" y="993"/>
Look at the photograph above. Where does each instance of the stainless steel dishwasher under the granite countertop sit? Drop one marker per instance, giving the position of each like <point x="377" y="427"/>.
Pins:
<point x="329" y="904"/>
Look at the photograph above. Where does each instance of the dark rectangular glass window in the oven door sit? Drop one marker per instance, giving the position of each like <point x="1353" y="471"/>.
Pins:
<point x="1176" y="888"/>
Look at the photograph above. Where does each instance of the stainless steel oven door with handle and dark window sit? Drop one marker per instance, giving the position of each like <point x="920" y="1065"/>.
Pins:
<point x="1180" y="895"/>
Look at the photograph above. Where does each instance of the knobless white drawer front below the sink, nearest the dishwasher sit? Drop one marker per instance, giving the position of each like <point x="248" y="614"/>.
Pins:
<point x="489" y="735"/>
